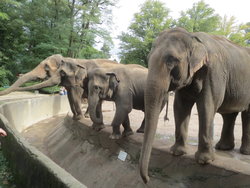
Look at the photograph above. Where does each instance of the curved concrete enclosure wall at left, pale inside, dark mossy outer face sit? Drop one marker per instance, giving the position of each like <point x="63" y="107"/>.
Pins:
<point x="31" y="167"/>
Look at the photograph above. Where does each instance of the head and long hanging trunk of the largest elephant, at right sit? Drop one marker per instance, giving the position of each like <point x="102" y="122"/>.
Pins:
<point x="173" y="61"/>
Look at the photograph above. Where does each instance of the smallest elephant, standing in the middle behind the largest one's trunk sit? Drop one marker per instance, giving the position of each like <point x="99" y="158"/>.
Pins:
<point x="125" y="86"/>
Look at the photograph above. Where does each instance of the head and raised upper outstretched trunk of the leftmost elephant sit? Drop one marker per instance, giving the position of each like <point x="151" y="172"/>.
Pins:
<point x="46" y="69"/>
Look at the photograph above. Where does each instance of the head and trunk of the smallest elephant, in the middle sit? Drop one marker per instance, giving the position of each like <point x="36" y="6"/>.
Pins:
<point x="102" y="85"/>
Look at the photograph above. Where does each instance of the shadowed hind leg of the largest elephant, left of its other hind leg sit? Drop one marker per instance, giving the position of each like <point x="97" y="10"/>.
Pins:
<point x="226" y="141"/>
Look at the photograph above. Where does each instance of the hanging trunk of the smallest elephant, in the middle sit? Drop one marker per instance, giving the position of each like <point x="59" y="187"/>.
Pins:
<point x="95" y="109"/>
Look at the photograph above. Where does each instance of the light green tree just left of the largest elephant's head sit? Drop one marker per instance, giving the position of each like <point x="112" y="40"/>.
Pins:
<point x="152" y="18"/>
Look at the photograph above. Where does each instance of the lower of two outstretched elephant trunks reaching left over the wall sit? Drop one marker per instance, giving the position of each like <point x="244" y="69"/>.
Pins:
<point x="54" y="80"/>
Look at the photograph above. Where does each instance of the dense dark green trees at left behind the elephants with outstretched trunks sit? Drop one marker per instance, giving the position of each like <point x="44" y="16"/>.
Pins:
<point x="33" y="30"/>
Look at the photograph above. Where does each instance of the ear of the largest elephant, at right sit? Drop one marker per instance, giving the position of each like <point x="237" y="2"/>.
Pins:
<point x="199" y="56"/>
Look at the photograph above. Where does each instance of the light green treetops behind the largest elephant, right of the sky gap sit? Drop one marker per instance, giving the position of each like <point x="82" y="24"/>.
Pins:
<point x="153" y="18"/>
